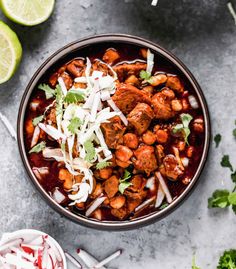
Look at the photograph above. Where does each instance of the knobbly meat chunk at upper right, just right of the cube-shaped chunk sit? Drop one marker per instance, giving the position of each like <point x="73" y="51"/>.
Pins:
<point x="161" y="102"/>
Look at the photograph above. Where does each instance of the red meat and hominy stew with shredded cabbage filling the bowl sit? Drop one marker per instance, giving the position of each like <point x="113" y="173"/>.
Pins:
<point x="114" y="134"/>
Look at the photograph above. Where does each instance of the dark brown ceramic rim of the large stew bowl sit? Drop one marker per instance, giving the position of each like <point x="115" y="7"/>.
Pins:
<point x="69" y="49"/>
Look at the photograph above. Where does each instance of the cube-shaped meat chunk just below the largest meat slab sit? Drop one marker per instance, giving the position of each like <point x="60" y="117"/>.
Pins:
<point x="140" y="117"/>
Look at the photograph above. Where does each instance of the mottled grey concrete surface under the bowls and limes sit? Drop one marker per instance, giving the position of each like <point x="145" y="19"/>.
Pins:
<point x="201" y="33"/>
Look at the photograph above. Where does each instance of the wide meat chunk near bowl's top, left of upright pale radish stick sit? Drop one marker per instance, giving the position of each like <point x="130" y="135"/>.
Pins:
<point x="126" y="69"/>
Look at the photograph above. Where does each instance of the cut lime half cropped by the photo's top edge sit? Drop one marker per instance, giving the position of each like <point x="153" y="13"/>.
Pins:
<point x="27" y="12"/>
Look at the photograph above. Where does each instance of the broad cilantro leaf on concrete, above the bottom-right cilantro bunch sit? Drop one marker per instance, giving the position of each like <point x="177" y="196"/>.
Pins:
<point x="219" y="199"/>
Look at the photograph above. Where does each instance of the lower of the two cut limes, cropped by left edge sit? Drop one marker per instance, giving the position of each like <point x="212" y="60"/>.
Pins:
<point x="10" y="52"/>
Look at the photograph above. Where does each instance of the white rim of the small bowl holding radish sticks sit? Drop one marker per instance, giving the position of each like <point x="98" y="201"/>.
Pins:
<point x="6" y="237"/>
